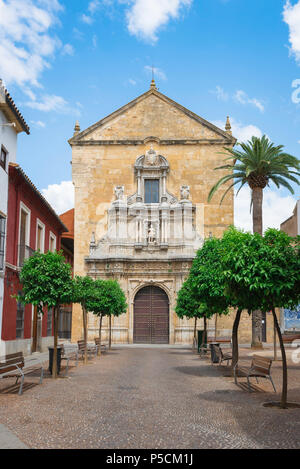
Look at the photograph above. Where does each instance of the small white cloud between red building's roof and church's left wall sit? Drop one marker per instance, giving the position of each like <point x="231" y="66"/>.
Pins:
<point x="60" y="196"/>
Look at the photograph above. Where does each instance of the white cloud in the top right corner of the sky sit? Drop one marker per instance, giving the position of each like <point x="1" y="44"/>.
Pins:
<point x="291" y="16"/>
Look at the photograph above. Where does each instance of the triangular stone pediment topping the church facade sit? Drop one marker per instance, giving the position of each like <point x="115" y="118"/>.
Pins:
<point x="152" y="115"/>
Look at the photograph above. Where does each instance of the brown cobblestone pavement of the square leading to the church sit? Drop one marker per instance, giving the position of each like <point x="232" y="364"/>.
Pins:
<point x="150" y="398"/>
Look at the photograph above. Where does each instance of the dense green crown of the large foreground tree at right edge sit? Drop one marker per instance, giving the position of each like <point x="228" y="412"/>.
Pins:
<point x="261" y="272"/>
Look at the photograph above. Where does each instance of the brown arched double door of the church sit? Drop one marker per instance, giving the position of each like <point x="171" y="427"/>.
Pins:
<point x="151" y="316"/>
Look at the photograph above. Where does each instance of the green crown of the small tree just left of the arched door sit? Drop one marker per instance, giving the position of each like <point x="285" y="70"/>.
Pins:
<point x="108" y="299"/>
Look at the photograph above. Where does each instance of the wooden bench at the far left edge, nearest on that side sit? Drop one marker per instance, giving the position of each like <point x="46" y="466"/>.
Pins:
<point x="13" y="366"/>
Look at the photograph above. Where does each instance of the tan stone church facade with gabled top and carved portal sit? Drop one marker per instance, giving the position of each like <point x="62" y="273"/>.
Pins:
<point x="142" y="177"/>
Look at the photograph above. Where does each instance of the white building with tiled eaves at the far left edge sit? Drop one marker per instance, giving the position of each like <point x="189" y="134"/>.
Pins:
<point x="11" y="124"/>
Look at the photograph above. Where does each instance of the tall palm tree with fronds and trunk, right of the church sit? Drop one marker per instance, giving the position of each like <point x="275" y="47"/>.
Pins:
<point x="258" y="163"/>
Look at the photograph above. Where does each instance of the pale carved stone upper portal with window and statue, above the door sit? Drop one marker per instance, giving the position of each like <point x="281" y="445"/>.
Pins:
<point x="152" y="221"/>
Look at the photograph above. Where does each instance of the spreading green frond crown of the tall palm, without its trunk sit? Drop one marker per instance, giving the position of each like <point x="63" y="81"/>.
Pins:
<point x="258" y="158"/>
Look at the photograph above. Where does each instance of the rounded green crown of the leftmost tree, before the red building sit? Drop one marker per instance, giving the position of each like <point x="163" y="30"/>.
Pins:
<point x="46" y="280"/>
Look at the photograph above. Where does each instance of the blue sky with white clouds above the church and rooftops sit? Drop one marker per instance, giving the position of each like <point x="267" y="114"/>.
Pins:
<point x="65" y="60"/>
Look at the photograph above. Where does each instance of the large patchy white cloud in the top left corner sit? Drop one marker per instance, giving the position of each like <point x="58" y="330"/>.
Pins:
<point x="26" y="44"/>
